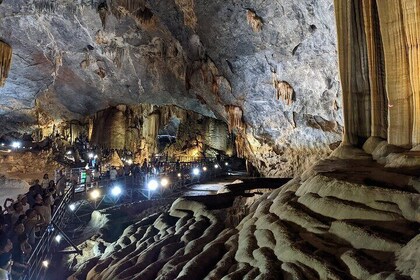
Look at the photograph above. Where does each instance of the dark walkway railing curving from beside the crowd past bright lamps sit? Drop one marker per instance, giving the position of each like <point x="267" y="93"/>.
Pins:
<point x="46" y="247"/>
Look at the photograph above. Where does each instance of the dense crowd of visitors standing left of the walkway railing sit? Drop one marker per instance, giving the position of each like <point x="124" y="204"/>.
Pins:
<point x="22" y="222"/>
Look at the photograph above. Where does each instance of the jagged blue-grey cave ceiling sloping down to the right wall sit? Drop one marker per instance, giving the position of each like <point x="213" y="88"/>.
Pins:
<point x="77" y="57"/>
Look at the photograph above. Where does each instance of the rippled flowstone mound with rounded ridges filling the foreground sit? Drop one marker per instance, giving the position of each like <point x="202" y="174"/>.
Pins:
<point x="342" y="219"/>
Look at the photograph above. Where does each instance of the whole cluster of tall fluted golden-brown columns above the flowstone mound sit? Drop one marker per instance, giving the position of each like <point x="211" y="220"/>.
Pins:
<point x="378" y="48"/>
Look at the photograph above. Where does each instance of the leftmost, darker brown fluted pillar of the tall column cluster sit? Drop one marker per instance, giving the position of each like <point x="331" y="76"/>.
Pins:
<point x="354" y="74"/>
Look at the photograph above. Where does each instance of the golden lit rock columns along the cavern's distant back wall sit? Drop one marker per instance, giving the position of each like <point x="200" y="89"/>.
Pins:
<point x="136" y="128"/>
